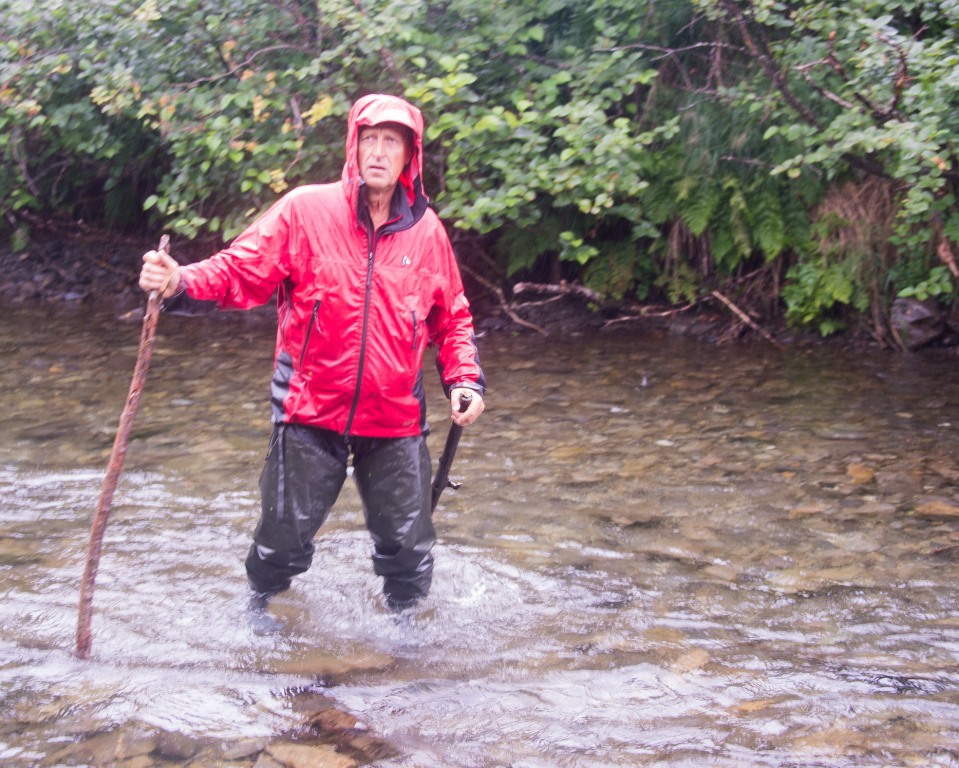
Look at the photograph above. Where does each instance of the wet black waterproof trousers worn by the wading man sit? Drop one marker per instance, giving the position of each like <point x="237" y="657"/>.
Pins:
<point x="304" y="472"/>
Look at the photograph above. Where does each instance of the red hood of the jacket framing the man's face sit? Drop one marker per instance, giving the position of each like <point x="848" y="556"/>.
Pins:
<point x="379" y="108"/>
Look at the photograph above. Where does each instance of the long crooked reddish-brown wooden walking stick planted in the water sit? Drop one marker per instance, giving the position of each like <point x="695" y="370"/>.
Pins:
<point x="147" y="335"/>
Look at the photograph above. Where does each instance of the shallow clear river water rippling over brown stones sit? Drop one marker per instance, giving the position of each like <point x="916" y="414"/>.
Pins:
<point x="663" y="553"/>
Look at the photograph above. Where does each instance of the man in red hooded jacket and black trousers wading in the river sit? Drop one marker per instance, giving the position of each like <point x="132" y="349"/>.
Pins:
<point x="365" y="277"/>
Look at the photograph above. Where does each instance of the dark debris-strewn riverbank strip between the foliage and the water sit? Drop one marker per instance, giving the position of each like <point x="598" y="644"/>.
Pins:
<point x="80" y="265"/>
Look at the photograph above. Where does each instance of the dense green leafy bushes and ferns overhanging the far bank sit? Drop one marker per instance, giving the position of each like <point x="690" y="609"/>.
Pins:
<point x="799" y="156"/>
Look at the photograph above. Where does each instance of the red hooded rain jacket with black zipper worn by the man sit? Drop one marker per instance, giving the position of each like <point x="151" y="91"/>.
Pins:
<point x="355" y="308"/>
